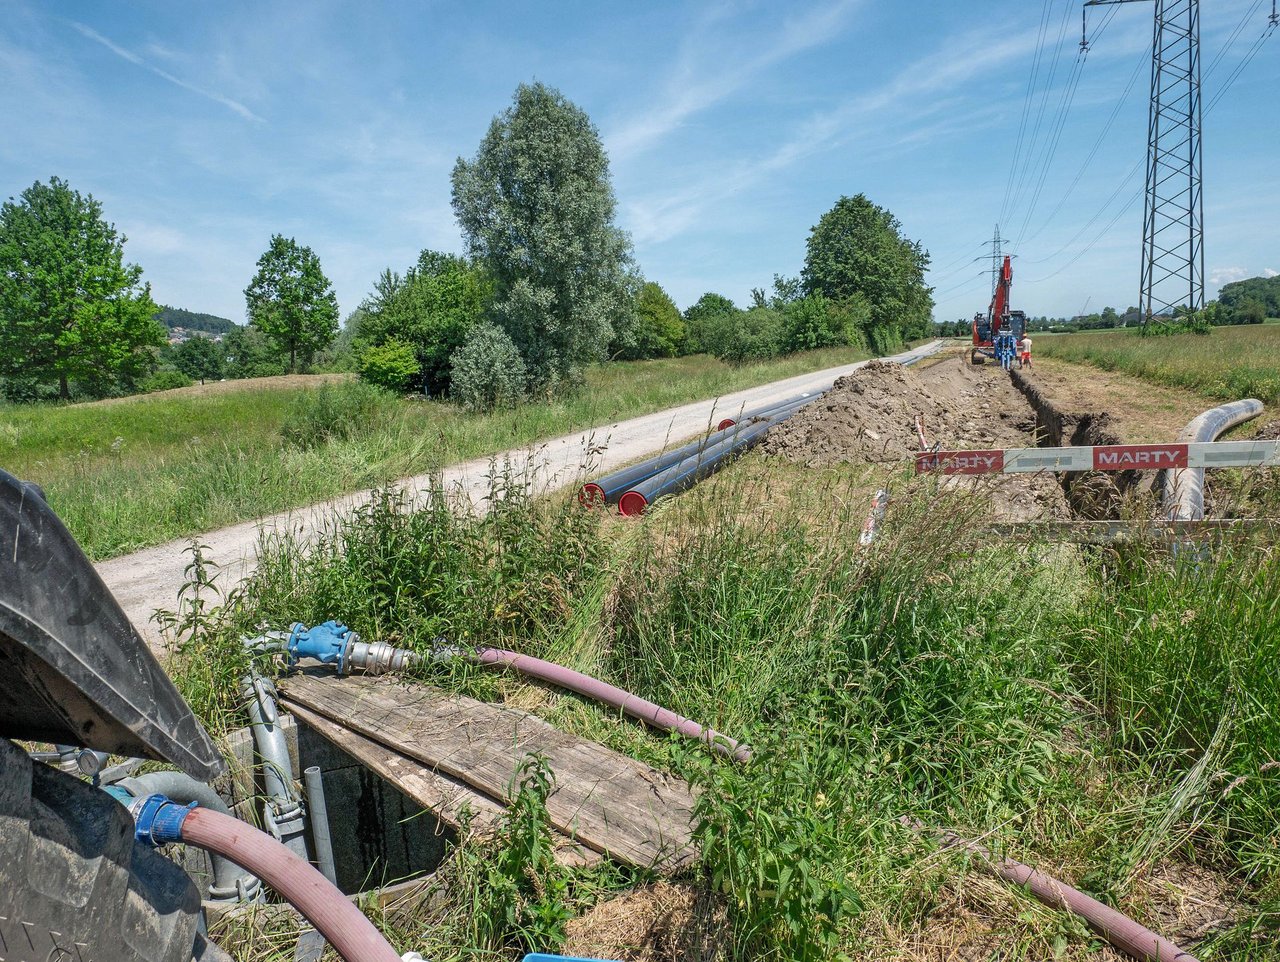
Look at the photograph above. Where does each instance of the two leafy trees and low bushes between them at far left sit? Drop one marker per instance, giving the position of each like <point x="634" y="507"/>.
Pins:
<point x="74" y="314"/>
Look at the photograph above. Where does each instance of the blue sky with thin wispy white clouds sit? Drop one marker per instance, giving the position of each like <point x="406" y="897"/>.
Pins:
<point x="732" y="127"/>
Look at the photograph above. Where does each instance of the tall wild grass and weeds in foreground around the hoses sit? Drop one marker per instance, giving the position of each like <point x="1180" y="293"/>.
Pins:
<point x="1110" y="718"/>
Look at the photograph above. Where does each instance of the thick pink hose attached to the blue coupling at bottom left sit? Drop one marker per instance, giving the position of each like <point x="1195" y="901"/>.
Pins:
<point x="301" y="885"/>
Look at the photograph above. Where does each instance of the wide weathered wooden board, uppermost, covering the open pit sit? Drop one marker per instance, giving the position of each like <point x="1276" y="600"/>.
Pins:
<point x="607" y="801"/>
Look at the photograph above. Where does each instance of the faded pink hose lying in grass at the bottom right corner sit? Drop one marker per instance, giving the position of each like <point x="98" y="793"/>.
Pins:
<point x="1121" y="931"/>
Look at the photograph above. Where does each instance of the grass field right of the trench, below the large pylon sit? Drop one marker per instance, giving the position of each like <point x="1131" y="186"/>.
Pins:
<point x="1228" y="364"/>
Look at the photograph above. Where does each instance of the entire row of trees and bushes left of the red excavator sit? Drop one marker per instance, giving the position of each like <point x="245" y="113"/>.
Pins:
<point x="547" y="288"/>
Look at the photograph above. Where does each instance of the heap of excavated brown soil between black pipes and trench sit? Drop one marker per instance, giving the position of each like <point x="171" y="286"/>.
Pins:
<point x="870" y="416"/>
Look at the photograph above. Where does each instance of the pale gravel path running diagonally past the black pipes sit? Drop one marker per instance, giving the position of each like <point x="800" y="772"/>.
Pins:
<point x="148" y="580"/>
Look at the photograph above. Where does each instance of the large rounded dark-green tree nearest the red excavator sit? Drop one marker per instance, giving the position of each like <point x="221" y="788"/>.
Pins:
<point x="860" y="249"/>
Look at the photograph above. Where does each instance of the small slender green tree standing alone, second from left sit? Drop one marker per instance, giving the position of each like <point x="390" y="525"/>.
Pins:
<point x="291" y="301"/>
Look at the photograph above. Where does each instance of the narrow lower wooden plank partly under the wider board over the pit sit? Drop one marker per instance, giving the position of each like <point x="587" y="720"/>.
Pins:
<point x="445" y="798"/>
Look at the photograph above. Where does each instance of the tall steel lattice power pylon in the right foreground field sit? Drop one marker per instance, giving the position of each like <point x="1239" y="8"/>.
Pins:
<point x="1173" y="235"/>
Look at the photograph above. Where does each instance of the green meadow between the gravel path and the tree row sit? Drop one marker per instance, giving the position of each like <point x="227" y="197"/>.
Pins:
<point x="136" y="473"/>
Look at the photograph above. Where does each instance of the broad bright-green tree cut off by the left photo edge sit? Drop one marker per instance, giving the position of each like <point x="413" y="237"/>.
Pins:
<point x="71" y="309"/>
